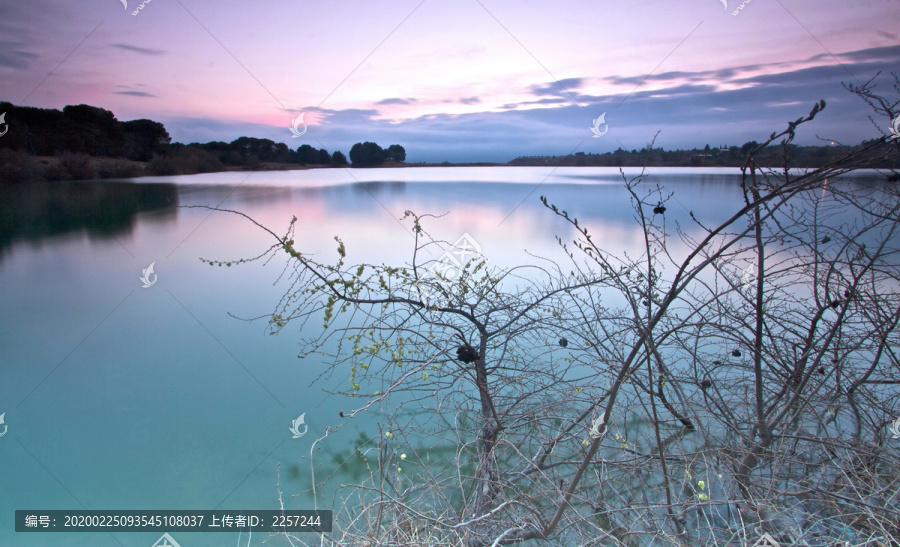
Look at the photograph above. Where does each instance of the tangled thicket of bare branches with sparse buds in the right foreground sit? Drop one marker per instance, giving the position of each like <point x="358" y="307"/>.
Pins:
<point x="724" y="382"/>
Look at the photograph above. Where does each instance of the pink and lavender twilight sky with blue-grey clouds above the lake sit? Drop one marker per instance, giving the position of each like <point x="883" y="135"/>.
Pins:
<point x="460" y="80"/>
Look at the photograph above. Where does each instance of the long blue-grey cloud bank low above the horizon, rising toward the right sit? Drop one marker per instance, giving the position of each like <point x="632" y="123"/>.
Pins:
<point x="680" y="109"/>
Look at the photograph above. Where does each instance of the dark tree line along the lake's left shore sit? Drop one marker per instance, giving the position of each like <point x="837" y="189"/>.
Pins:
<point x="78" y="135"/>
